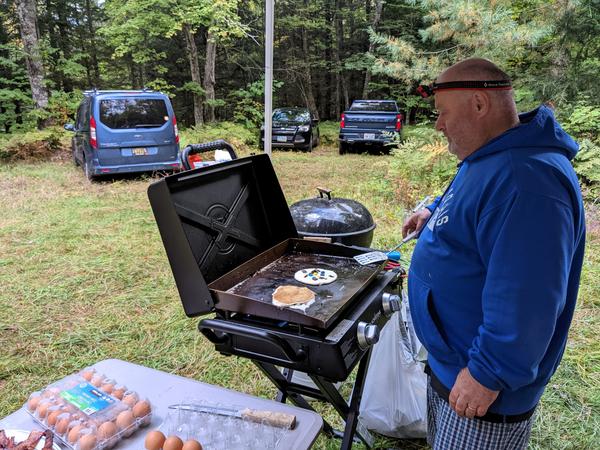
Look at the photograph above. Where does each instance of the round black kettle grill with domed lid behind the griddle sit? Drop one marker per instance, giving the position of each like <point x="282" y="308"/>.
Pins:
<point x="343" y="220"/>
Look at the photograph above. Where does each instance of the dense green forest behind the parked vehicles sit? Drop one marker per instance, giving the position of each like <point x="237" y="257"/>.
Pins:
<point x="208" y="55"/>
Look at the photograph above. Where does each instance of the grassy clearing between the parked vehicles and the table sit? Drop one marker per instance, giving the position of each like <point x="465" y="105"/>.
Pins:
<point x="84" y="277"/>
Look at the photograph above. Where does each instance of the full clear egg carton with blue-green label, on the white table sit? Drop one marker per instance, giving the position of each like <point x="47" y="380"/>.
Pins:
<point x="89" y="411"/>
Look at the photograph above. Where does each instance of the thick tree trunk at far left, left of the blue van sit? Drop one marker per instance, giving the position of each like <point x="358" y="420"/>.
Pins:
<point x="27" y="12"/>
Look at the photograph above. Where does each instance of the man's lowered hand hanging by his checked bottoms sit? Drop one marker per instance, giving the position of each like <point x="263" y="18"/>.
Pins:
<point x="468" y="397"/>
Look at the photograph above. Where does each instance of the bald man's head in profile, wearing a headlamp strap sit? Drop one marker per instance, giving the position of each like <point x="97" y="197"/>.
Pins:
<point x="471" y="117"/>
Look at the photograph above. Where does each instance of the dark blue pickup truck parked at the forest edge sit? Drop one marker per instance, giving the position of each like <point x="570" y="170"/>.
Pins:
<point x="372" y="123"/>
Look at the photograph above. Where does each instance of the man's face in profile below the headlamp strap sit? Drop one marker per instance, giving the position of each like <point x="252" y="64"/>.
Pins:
<point x="457" y="121"/>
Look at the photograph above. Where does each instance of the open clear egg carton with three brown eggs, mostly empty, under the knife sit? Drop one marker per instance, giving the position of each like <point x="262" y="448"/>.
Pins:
<point x="184" y="429"/>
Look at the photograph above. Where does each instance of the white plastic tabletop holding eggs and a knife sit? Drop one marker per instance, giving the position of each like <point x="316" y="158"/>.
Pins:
<point x="163" y="389"/>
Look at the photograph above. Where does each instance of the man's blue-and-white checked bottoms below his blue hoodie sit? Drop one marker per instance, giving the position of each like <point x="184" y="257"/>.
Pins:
<point x="446" y="430"/>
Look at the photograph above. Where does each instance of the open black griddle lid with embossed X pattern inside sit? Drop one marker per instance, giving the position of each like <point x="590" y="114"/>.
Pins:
<point x="213" y="219"/>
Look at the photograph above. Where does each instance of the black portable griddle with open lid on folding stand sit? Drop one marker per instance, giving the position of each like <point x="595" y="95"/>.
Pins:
<point x="230" y="240"/>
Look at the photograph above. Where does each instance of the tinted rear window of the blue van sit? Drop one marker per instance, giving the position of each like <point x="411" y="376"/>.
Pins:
<point x="122" y="113"/>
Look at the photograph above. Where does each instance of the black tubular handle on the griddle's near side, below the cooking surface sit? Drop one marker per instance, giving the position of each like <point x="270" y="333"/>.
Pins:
<point x="210" y="327"/>
